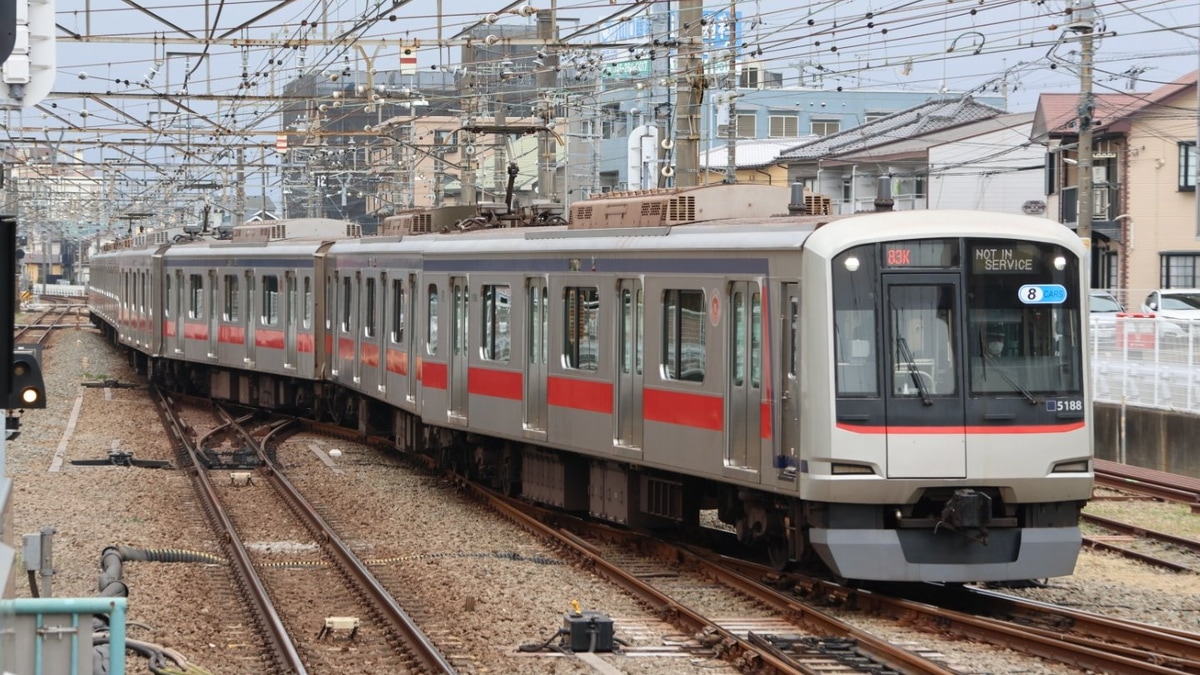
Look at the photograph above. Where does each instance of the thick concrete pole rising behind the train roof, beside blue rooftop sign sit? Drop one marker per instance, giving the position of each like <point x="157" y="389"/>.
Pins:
<point x="689" y="94"/>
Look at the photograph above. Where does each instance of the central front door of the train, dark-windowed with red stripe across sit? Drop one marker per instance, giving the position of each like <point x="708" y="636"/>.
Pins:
<point x="925" y="407"/>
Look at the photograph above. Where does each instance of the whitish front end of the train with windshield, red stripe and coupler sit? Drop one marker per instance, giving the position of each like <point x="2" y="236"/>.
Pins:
<point x="958" y="446"/>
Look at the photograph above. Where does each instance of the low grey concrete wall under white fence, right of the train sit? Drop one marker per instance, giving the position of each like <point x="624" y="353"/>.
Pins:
<point x="1155" y="439"/>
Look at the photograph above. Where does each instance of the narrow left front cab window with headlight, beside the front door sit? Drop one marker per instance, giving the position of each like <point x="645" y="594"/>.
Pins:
<point x="855" y="332"/>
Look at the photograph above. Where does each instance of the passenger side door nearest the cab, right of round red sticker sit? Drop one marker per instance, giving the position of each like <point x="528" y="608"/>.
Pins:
<point x="745" y="386"/>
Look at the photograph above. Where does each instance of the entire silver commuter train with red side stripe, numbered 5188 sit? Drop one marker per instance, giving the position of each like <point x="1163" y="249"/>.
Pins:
<point x="903" y="396"/>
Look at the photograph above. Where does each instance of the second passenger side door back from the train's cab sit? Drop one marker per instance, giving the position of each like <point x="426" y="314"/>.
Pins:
<point x="631" y="327"/>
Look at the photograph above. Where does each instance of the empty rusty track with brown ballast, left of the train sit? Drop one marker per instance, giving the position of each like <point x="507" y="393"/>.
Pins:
<point x="320" y="611"/>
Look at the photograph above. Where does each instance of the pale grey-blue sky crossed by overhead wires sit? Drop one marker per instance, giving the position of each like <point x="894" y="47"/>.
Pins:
<point x="152" y="76"/>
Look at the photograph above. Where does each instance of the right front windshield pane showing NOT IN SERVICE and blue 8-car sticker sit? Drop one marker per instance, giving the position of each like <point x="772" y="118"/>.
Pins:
<point x="1023" y="319"/>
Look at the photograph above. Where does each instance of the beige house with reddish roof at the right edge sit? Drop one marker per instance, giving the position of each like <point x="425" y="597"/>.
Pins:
<point x="1144" y="181"/>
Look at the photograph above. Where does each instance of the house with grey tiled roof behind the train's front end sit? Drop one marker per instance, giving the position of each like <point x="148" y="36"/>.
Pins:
<point x="829" y="166"/>
